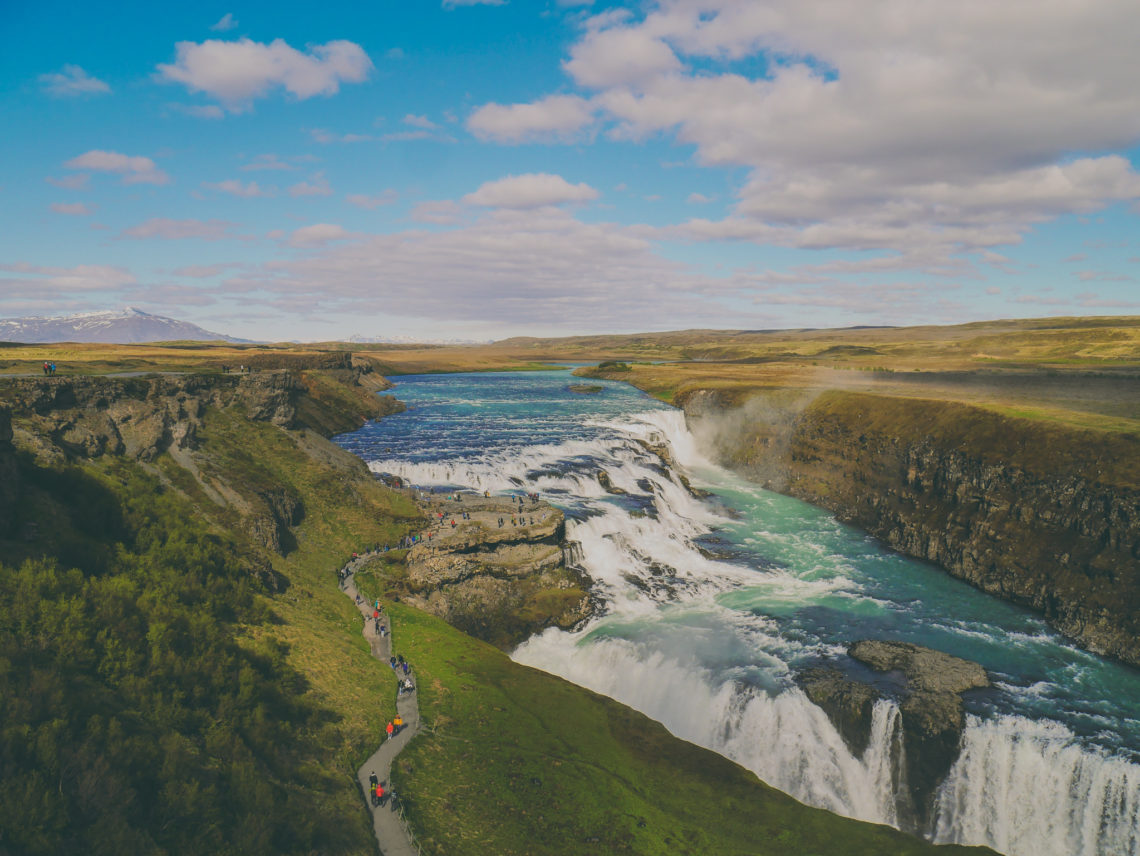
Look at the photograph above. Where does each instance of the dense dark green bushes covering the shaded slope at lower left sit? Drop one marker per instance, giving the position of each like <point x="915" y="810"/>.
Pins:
<point x="134" y="722"/>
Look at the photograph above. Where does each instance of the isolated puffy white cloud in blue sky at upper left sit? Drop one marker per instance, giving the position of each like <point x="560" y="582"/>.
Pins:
<point x="237" y="72"/>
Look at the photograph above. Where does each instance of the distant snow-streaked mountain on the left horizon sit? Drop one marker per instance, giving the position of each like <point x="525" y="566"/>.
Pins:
<point x="127" y="327"/>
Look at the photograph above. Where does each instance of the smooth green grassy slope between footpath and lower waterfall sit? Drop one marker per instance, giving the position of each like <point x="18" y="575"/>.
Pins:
<point x="514" y="761"/>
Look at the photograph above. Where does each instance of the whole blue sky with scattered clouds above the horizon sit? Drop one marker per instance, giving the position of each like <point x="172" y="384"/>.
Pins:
<point x="491" y="169"/>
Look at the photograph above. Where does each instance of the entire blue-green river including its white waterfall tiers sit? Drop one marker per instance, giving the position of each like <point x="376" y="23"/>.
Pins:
<point x="711" y="606"/>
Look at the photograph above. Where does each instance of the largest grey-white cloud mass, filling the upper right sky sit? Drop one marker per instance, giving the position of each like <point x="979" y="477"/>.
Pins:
<point x="921" y="131"/>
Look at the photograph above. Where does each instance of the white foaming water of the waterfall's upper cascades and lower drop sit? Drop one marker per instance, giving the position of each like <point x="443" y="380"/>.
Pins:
<point x="722" y="678"/>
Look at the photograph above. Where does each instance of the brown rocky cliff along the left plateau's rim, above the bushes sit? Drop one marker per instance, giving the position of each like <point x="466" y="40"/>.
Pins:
<point x="70" y="420"/>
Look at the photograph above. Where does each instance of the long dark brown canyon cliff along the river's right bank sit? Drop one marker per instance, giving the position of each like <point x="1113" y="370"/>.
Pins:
<point x="1035" y="512"/>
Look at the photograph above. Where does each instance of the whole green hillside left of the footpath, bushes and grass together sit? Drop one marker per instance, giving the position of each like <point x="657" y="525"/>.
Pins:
<point x="180" y="673"/>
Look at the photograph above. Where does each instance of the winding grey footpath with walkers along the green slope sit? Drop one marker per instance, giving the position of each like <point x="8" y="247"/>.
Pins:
<point x="392" y="833"/>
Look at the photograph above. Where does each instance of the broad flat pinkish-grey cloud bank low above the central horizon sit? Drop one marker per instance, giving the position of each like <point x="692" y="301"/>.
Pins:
<point x="541" y="268"/>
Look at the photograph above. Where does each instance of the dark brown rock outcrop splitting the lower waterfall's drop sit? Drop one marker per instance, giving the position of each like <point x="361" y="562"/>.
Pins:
<point x="929" y="687"/>
